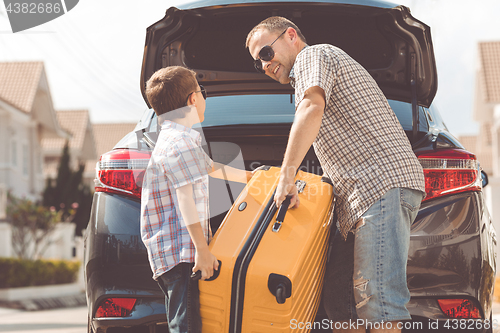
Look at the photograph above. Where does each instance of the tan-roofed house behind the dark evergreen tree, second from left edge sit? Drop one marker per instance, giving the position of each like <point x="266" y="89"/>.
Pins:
<point x="82" y="147"/>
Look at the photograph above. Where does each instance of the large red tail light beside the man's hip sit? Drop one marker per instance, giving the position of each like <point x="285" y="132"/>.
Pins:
<point x="449" y="171"/>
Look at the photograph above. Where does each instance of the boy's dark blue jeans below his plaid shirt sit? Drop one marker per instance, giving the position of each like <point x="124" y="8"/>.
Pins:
<point x="182" y="299"/>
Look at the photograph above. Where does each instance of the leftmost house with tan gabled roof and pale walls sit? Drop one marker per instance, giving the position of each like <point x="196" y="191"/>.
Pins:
<point x="27" y="117"/>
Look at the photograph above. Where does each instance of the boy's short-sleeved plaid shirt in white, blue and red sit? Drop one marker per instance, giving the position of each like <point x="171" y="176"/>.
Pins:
<point x="177" y="160"/>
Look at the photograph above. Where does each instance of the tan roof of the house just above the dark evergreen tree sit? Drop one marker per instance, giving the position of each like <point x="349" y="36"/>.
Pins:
<point x="73" y="121"/>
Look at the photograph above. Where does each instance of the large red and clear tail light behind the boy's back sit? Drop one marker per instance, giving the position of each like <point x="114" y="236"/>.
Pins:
<point x="122" y="171"/>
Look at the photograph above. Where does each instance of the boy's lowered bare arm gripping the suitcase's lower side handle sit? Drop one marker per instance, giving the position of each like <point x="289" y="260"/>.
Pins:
<point x="204" y="261"/>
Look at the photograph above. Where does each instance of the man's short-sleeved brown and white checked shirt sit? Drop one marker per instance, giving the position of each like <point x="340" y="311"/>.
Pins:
<point x="361" y="145"/>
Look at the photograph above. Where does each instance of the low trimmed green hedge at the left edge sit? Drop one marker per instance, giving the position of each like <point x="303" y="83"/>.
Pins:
<point x="25" y="273"/>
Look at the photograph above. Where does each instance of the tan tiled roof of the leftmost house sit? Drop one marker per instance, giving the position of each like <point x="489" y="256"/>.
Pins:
<point x="19" y="83"/>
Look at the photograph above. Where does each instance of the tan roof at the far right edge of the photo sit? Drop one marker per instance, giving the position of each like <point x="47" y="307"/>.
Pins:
<point x="489" y="54"/>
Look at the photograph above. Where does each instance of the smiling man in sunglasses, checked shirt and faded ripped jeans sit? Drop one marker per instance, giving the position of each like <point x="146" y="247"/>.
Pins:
<point x="363" y="149"/>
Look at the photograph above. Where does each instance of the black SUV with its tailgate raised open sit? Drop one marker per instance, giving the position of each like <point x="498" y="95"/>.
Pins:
<point x="451" y="267"/>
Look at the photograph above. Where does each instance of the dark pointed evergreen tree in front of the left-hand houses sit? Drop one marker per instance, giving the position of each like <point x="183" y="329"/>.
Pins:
<point x="69" y="195"/>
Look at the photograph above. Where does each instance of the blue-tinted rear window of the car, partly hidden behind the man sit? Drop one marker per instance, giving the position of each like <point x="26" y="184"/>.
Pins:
<point x="278" y="108"/>
